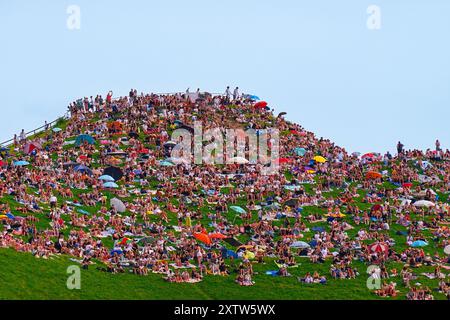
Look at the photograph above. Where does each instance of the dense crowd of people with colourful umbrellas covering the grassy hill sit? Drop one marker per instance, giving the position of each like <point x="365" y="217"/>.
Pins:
<point x="179" y="219"/>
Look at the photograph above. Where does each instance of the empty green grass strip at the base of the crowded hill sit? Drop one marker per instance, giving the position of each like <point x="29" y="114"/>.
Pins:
<point x="25" y="277"/>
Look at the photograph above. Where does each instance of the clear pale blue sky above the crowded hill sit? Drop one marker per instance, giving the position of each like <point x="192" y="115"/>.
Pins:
<point x="319" y="61"/>
